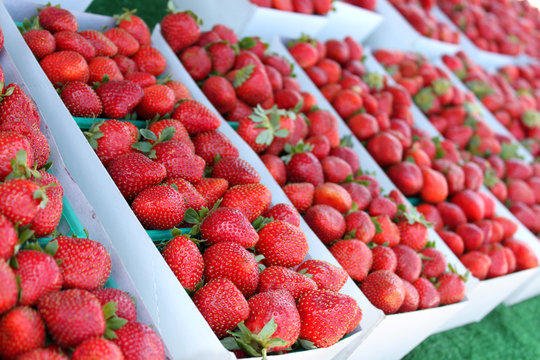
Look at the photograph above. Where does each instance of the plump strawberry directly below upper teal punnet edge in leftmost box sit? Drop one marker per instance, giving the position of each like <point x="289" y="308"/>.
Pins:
<point x="85" y="263"/>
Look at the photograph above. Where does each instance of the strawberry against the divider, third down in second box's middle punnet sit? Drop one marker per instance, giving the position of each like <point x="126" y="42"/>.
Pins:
<point x="236" y="171"/>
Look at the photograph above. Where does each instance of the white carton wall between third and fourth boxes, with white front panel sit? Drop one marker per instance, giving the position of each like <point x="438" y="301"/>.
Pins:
<point x="419" y="324"/>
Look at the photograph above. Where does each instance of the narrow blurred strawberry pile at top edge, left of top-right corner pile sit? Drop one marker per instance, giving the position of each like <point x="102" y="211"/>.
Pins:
<point x="418" y="14"/>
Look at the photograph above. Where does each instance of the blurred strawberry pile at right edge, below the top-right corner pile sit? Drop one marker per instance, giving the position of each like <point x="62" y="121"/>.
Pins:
<point x="517" y="111"/>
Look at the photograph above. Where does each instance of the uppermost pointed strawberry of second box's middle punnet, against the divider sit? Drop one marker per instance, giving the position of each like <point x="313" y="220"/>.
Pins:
<point x="195" y="117"/>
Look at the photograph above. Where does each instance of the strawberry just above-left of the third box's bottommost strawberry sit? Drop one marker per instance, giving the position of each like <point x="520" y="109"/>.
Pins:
<point x="354" y="256"/>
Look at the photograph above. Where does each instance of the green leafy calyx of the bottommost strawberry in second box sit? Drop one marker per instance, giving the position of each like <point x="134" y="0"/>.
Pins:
<point x="254" y="344"/>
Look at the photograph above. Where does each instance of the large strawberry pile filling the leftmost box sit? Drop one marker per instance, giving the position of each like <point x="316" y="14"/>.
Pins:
<point x="53" y="303"/>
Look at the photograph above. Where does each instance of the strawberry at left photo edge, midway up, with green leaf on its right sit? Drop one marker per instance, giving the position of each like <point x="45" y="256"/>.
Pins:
<point x="20" y="200"/>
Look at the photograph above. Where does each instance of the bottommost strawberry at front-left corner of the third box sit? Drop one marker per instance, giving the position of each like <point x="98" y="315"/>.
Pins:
<point x="384" y="290"/>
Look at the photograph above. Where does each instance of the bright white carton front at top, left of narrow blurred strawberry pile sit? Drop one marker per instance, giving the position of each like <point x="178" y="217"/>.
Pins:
<point x="350" y="20"/>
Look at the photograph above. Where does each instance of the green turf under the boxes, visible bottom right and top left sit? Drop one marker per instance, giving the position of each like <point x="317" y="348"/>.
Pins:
<point x="506" y="333"/>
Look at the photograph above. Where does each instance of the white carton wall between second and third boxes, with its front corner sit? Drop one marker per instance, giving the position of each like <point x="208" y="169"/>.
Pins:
<point x="317" y="250"/>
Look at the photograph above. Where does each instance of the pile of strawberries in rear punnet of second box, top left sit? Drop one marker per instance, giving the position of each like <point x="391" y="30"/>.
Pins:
<point x="111" y="74"/>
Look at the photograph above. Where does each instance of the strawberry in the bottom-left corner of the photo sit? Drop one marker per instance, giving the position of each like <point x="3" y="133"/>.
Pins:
<point x="21" y="330"/>
